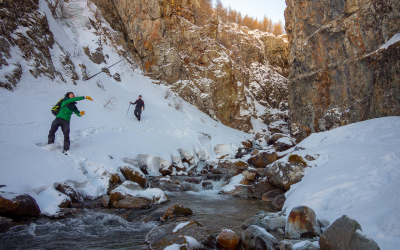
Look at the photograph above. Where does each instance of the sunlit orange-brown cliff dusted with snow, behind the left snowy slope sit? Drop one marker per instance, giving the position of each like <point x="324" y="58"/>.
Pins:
<point x="221" y="69"/>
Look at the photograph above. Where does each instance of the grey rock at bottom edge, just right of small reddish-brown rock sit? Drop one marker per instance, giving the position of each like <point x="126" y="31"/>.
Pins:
<point x="257" y="238"/>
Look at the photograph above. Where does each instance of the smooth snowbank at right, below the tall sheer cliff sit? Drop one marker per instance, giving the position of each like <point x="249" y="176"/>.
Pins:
<point x="357" y="174"/>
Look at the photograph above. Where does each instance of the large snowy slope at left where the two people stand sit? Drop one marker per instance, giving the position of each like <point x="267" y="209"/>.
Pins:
<point x="28" y="165"/>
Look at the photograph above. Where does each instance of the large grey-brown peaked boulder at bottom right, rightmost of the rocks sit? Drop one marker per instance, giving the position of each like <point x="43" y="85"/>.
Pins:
<point x="345" y="234"/>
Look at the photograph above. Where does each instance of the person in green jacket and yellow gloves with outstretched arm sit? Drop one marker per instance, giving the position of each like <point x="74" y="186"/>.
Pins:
<point x="64" y="117"/>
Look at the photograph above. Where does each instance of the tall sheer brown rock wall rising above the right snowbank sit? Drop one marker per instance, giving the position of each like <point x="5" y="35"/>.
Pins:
<point x="340" y="72"/>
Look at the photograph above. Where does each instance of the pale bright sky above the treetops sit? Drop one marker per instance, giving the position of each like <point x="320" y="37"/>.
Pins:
<point x="274" y="9"/>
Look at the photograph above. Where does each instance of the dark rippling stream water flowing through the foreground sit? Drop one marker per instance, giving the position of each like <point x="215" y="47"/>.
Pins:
<point x="116" y="229"/>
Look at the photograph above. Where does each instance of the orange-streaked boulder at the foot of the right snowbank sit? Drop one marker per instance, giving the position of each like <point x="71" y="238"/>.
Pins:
<point x="302" y="222"/>
